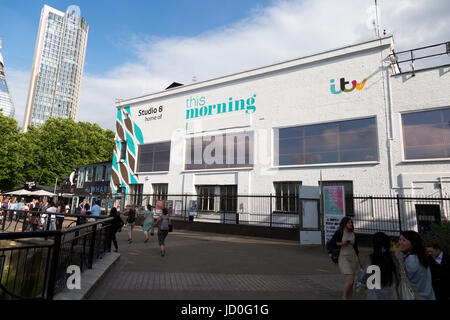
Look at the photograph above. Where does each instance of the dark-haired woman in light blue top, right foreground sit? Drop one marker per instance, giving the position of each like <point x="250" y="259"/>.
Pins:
<point x="411" y="251"/>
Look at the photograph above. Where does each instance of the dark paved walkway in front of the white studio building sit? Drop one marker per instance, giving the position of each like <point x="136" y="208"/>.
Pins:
<point x="214" y="267"/>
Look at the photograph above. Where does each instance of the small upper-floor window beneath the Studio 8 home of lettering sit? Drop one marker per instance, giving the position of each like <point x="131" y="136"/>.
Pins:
<point x="154" y="157"/>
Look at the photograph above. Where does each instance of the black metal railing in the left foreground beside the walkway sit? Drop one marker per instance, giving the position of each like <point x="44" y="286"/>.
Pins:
<point x="33" y="265"/>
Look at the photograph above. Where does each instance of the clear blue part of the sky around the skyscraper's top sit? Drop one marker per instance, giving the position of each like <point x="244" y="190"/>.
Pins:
<point x="114" y="23"/>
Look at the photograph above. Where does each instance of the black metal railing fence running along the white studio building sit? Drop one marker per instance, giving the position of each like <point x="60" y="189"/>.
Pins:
<point x="371" y="214"/>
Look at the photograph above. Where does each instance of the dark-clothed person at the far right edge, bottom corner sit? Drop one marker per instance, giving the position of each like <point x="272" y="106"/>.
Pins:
<point x="440" y="270"/>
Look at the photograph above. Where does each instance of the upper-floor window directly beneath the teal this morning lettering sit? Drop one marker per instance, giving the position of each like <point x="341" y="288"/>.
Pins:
<point x="220" y="151"/>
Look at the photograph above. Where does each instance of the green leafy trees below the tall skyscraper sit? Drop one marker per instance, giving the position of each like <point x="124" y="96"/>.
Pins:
<point x="50" y="151"/>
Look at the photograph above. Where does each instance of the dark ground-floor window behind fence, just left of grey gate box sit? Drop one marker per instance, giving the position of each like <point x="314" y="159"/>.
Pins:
<point x="286" y="196"/>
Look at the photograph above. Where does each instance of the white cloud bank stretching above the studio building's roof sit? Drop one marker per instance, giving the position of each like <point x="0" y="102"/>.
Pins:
<point x="285" y="30"/>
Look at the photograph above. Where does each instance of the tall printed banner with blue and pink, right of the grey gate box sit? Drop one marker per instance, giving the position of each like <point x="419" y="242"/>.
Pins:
<point x="334" y="209"/>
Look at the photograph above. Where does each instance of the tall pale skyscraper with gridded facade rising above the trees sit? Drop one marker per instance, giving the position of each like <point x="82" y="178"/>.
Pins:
<point x="58" y="66"/>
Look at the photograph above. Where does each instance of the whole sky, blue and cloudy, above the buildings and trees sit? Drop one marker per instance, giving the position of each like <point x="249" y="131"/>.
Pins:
<point x="139" y="47"/>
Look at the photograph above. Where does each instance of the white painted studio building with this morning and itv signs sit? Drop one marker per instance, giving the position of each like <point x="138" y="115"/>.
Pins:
<point x="347" y="116"/>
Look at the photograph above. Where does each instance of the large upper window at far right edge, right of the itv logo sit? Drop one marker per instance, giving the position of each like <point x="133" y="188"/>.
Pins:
<point x="426" y="134"/>
